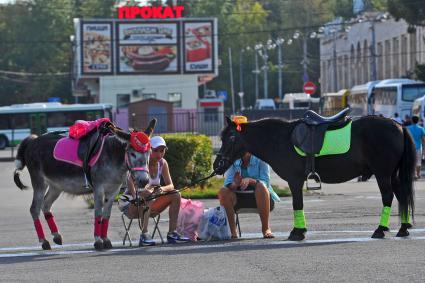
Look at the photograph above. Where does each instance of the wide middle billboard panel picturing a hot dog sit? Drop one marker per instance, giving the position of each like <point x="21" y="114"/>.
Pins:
<point x="150" y="48"/>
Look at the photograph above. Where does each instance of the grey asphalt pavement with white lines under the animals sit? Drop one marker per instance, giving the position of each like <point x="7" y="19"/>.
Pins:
<point x="338" y="247"/>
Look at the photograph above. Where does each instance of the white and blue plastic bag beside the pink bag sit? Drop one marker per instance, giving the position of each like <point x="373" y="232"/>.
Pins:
<point x="214" y="224"/>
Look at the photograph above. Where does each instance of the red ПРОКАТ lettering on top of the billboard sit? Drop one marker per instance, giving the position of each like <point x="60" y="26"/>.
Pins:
<point x="150" y="12"/>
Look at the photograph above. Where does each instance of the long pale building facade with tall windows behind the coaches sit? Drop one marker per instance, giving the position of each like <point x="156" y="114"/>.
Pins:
<point x="372" y="49"/>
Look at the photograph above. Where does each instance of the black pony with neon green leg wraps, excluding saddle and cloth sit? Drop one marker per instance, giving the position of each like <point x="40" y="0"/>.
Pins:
<point x="379" y="147"/>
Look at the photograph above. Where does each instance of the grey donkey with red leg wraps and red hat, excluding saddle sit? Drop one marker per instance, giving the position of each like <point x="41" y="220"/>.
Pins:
<point x="50" y="177"/>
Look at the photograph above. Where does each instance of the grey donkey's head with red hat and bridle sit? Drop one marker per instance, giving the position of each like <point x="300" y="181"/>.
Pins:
<point x="137" y="152"/>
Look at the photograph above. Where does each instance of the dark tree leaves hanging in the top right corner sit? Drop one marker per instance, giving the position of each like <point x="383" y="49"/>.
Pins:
<point x="412" y="11"/>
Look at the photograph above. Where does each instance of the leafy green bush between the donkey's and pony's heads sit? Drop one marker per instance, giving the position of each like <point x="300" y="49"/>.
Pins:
<point x="189" y="157"/>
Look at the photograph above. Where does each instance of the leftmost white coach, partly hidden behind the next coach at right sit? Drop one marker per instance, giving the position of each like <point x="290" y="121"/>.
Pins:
<point x="360" y="98"/>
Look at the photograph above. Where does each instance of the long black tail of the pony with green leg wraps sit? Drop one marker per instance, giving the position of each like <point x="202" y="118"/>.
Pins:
<point x="406" y="175"/>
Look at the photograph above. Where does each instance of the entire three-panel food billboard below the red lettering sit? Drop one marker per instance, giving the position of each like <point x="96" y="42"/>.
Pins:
<point x="125" y="47"/>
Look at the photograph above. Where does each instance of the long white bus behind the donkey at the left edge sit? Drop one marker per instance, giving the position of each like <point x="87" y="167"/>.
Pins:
<point x="20" y="120"/>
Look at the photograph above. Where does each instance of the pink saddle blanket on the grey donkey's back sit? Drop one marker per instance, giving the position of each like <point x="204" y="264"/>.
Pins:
<point x="66" y="149"/>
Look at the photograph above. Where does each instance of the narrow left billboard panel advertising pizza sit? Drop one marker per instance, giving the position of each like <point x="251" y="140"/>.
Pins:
<point x="96" y="47"/>
